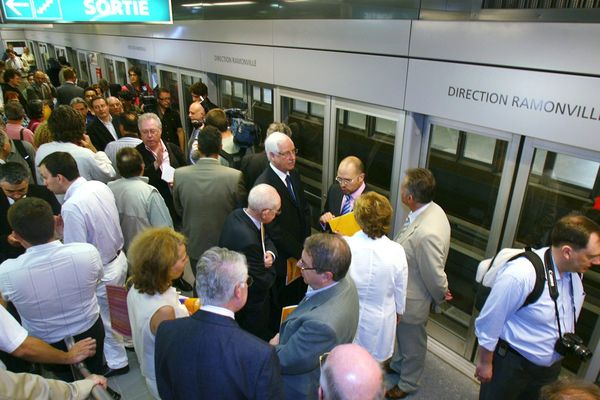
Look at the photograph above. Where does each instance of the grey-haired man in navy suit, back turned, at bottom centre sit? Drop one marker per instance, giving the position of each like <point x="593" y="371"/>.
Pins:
<point x="208" y="356"/>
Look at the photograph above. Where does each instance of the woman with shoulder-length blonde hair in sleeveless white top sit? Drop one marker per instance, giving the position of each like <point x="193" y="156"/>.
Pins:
<point x="157" y="256"/>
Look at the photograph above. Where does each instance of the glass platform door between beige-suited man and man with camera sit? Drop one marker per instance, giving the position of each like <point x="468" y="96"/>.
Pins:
<point x="473" y="169"/>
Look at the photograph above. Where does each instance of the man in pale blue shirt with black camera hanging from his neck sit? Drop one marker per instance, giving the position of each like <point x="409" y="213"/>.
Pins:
<point x="521" y="347"/>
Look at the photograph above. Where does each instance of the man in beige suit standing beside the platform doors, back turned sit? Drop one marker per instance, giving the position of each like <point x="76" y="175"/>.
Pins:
<point x="425" y="237"/>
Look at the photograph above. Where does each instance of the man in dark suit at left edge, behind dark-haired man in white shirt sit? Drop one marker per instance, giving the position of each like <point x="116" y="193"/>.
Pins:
<point x="14" y="181"/>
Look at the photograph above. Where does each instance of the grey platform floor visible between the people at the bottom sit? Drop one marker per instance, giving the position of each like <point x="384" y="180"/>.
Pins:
<point x="440" y="381"/>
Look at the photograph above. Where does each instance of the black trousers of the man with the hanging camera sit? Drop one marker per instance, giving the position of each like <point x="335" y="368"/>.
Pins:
<point x="516" y="378"/>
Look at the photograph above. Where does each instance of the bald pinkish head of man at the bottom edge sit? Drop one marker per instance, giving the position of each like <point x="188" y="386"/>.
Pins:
<point x="350" y="373"/>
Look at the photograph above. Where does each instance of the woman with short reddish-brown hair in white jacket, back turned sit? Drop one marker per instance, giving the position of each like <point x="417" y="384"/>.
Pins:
<point x="380" y="272"/>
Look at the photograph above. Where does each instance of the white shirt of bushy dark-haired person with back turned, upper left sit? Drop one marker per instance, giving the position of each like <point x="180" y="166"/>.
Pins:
<point x="92" y="166"/>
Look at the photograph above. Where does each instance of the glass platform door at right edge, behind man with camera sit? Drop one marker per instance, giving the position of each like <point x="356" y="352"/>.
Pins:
<point x="554" y="181"/>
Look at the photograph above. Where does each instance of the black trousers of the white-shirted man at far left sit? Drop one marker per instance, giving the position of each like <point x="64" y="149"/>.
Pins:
<point x="95" y="363"/>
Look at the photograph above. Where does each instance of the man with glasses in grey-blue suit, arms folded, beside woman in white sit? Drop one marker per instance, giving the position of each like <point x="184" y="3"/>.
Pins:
<point x="325" y="318"/>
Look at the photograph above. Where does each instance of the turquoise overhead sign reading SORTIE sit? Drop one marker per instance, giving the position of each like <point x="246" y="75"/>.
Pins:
<point x="149" y="11"/>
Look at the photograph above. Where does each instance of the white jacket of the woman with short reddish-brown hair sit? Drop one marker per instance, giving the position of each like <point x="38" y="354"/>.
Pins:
<point x="380" y="272"/>
